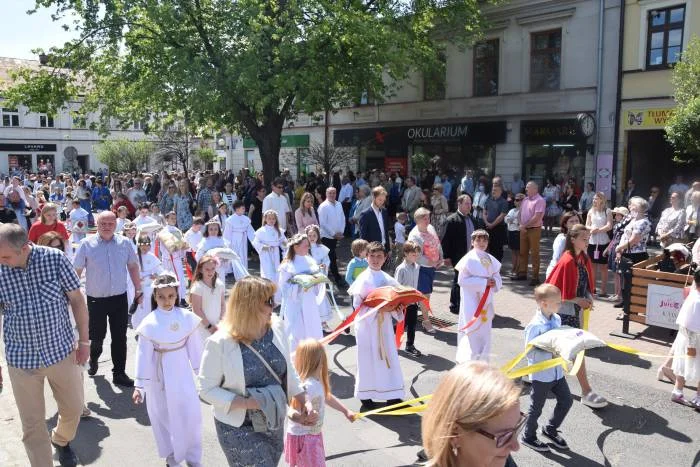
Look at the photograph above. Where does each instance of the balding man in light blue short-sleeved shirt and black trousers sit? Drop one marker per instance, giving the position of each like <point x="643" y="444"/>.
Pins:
<point x="106" y="258"/>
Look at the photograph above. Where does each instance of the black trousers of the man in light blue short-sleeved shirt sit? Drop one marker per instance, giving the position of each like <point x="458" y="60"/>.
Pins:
<point x="114" y="308"/>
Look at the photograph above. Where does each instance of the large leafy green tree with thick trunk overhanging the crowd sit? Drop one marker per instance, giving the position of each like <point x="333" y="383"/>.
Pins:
<point x="245" y="65"/>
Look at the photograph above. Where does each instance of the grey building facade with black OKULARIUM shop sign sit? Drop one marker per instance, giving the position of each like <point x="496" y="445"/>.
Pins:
<point x="512" y="104"/>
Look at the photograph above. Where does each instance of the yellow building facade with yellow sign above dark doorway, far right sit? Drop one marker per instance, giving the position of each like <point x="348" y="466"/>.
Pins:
<point x="655" y="34"/>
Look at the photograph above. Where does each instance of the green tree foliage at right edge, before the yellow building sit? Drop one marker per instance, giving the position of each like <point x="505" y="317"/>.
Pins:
<point x="683" y="128"/>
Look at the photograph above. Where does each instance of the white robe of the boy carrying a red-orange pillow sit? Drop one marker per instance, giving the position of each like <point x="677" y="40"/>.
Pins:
<point x="378" y="377"/>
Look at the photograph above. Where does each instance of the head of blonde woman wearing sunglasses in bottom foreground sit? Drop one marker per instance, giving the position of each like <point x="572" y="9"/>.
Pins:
<point x="473" y="419"/>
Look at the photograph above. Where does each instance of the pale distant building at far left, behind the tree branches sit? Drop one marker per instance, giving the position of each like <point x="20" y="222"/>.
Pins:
<point x="61" y="142"/>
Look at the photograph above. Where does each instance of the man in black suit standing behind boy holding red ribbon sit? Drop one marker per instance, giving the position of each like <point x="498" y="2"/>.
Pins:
<point x="457" y="240"/>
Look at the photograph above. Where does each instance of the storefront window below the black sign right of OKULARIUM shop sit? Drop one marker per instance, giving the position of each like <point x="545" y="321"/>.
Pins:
<point x="558" y="161"/>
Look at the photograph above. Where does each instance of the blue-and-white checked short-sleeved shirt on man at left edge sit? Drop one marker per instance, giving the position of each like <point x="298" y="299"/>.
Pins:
<point x="37" y="328"/>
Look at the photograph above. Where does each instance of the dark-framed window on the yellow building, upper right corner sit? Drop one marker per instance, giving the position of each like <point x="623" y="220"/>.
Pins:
<point x="664" y="36"/>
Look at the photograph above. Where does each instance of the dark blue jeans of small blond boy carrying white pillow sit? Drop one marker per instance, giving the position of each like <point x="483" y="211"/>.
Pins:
<point x="538" y="396"/>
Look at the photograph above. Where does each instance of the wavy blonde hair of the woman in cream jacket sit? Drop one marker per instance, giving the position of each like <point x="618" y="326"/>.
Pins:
<point x="243" y="319"/>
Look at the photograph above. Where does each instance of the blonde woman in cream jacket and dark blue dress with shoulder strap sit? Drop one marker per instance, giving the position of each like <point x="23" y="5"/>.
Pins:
<point x="244" y="362"/>
